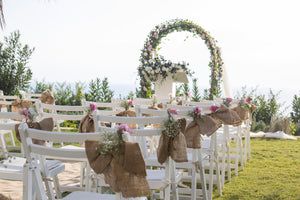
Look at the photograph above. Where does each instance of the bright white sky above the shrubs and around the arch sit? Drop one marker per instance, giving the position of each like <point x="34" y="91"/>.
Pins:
<point x="80" y="40"/>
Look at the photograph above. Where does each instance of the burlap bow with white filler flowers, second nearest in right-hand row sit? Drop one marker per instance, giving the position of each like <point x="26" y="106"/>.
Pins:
<point x="173" y="146"/>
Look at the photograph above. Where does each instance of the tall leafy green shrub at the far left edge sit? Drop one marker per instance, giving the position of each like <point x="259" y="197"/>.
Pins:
<point x="15" y="75"/>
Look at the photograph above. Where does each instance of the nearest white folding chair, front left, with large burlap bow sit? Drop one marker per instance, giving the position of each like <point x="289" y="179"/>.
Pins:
<point x="33" y="181"/>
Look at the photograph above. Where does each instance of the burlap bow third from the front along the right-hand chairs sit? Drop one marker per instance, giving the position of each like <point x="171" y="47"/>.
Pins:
<point x="205" y="126"/>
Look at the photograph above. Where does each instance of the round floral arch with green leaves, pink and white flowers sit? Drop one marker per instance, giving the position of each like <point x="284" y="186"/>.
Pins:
<point x="153" y="65"/>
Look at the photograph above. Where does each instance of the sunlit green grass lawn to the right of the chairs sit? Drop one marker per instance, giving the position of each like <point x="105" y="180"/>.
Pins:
<point x="272" y="173"/>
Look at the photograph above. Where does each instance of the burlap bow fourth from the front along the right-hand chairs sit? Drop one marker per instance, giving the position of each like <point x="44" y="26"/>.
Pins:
<point x="227" y="116"/>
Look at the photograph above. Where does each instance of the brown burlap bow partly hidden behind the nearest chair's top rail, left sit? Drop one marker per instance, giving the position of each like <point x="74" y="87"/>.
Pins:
<point x="46" y="124"/>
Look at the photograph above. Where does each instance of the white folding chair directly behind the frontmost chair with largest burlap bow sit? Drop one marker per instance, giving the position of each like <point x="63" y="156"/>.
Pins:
<point x="158" y="179"/>
